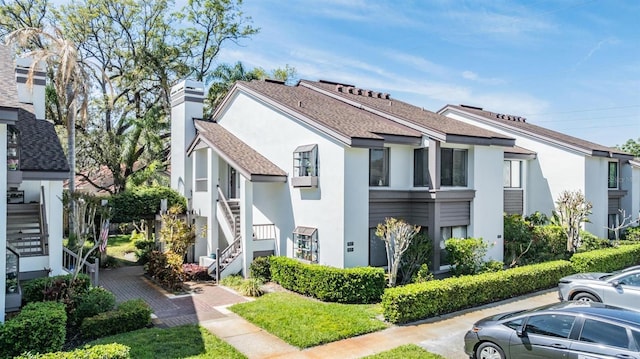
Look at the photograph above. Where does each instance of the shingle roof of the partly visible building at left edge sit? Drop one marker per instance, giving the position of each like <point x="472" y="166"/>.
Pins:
<point x="40" y="148"/>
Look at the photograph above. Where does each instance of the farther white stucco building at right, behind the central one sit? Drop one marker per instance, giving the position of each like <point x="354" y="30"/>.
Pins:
<point x="609" y="178"/>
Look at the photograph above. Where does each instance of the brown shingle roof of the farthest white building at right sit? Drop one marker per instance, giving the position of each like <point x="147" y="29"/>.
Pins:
<point x="520" y="123"/>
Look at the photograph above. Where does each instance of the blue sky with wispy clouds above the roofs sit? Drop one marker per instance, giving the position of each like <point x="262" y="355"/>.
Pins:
<point x="572" y="65"/>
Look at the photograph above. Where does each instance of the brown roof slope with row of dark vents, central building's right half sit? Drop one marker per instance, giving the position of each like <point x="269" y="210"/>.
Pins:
<point x="415" y="115"/>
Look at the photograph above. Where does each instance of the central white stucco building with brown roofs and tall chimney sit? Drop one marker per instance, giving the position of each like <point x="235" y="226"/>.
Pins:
<point x="308" y="171"/>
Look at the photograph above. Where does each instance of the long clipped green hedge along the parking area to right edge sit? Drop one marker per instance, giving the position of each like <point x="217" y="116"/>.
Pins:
<point x="424" y="300"/>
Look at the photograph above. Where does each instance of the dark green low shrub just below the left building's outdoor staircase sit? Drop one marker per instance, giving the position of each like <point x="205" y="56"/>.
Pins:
<point x="54" y="288"/>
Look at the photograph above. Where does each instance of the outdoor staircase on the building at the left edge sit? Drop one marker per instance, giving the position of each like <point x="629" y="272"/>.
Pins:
<point x="27" y="229"/>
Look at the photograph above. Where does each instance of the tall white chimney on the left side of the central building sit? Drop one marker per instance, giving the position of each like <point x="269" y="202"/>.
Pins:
<point x="186" y="104"/>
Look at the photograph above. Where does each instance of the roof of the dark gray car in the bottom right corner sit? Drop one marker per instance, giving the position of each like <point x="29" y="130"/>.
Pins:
<point x="592" y="309"/>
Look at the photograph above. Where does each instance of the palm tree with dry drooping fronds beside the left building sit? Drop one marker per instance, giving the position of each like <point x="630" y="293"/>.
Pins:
<point x="70" y="80"/>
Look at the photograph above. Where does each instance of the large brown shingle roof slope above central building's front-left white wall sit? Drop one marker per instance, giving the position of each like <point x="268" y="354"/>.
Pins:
<point x="340" y="117"/>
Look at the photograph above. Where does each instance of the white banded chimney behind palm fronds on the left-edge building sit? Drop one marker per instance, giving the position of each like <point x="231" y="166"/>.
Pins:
<point x="31" y="93"/>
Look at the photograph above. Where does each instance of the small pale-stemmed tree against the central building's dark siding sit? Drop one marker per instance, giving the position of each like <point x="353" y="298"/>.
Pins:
<point x="397" y="235"/>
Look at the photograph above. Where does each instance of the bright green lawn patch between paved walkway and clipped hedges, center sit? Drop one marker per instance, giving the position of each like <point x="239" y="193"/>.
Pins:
<point x="305" y="322"/>
